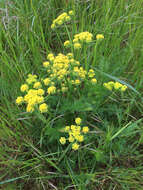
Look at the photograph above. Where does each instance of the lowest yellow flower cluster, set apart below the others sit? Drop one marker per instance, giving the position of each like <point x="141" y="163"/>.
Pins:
<point x="75" y="134"/>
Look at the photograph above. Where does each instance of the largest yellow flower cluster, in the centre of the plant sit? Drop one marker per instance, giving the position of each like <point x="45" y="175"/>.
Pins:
<point x="63" y="69"/>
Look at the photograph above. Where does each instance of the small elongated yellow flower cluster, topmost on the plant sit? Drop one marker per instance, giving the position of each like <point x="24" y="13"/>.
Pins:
<point x="64" y="17"/>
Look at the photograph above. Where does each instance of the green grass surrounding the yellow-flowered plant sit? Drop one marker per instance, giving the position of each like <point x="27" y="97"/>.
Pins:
<point x="30" y="158"/>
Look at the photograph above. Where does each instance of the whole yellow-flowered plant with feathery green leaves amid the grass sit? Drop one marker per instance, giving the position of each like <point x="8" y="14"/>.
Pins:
<point x="68" y="78"/>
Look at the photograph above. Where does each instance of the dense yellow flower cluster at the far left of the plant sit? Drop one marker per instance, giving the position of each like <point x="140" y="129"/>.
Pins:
<point x="34" y="96"/>
